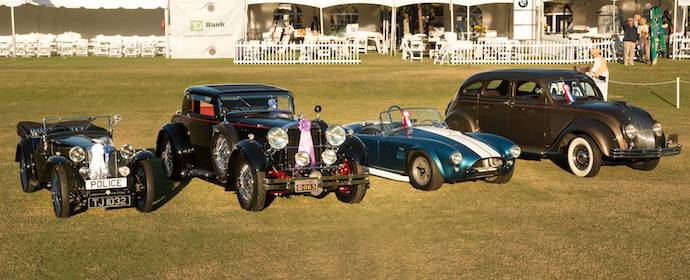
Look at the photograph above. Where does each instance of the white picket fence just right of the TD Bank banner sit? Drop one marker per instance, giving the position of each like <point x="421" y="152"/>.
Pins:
<point x="255" y="52"/>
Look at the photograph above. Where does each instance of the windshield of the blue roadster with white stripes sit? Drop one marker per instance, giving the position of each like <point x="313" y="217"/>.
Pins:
<point x="396" y="118"/>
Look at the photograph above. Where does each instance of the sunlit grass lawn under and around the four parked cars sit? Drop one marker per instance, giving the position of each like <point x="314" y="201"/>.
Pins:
<point x="545" y="223"/>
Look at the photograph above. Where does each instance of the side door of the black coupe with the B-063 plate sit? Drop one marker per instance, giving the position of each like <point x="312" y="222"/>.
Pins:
<point x="202" y="118"/>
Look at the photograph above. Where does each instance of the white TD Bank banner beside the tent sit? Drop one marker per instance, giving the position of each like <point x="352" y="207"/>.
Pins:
<point x="205" y="29"/>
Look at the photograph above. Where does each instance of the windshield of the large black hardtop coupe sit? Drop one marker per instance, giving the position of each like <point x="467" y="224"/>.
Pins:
<point x="257" y="103"/>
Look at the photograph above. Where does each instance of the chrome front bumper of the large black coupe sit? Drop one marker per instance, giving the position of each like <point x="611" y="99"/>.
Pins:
<point x="330" y="183"/>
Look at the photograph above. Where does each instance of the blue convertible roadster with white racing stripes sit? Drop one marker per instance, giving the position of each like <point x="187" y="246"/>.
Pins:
<point x="415" y="145"/>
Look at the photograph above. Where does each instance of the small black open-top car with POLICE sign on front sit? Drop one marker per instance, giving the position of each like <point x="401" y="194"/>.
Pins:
<point x="76" y="159"/>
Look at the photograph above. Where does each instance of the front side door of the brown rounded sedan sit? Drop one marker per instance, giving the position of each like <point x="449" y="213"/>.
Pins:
<point x="528" y="116"/>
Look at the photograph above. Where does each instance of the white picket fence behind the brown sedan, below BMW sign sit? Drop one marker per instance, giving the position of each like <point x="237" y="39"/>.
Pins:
<point x="512" y="52"/>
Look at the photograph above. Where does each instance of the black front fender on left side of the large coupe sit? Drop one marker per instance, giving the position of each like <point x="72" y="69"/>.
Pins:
<point x="253" y="151"/>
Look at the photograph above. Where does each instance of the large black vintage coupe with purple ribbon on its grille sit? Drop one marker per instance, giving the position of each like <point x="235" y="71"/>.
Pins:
<point x="248" y="139"/>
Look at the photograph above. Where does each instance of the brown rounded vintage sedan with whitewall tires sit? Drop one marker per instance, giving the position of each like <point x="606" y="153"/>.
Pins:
<point x="560" y="114"/>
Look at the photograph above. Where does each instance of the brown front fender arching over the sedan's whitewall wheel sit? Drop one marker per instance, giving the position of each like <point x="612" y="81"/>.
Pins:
<point x="598" y="131"/>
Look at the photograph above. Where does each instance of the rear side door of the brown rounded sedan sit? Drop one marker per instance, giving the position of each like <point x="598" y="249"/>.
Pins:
<point x="493" y="107"/>
